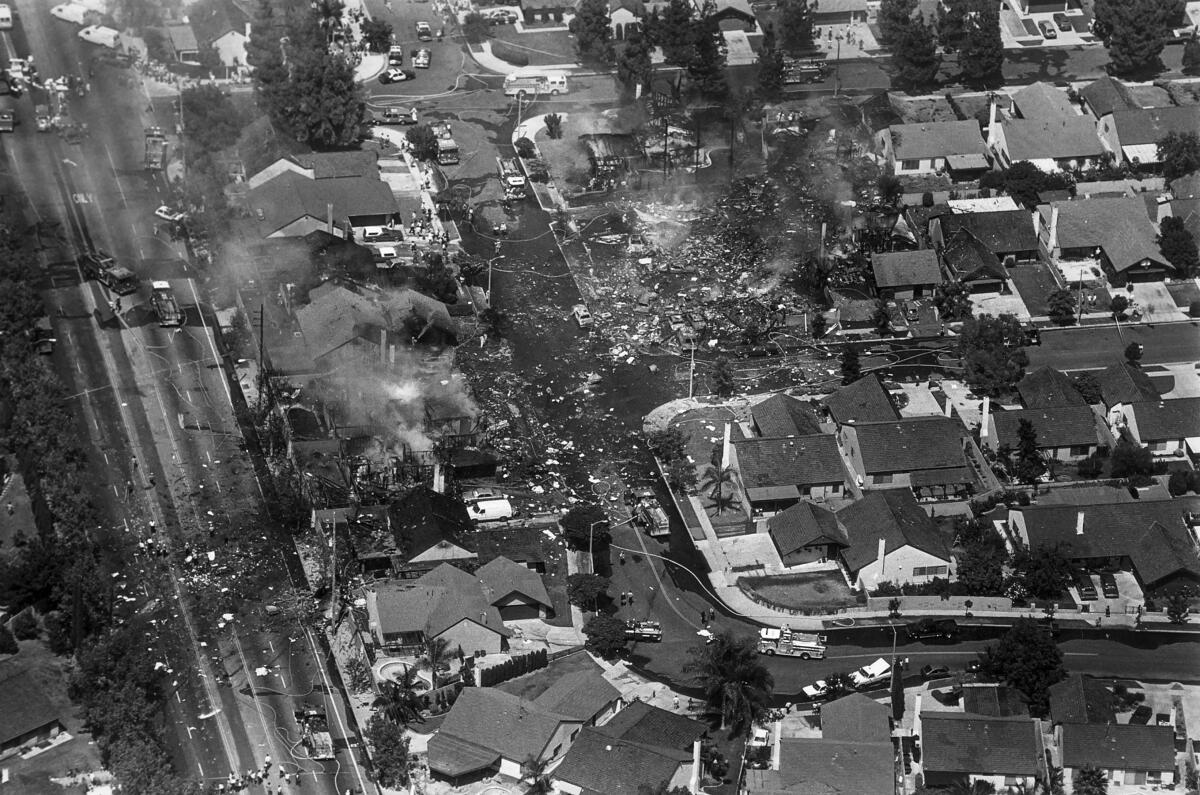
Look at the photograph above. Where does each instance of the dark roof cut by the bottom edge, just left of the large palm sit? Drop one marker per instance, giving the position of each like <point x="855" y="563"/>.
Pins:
<point x="604" y="764"/>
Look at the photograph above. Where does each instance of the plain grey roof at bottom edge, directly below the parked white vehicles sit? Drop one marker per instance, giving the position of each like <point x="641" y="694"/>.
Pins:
<point x="815" y="767"/>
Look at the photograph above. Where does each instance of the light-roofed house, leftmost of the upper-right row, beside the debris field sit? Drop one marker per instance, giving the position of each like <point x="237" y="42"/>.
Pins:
<point x="934" y="147"/>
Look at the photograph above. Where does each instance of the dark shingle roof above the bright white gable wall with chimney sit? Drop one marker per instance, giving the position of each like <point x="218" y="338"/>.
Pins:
<point x="895" y="517"/>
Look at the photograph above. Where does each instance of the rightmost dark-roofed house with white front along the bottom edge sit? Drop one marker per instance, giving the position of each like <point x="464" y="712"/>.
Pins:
<point x="1130" y="755"/>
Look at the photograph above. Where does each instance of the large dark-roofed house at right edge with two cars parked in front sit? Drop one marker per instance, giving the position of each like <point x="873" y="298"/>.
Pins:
<point x="1153" y="539"/>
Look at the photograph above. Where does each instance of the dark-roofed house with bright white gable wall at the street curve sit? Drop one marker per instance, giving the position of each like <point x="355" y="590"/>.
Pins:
<point x="892" y="540"/>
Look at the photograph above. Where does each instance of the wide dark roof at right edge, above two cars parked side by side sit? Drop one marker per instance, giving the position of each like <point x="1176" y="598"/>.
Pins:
<point x="1150" y="533"/>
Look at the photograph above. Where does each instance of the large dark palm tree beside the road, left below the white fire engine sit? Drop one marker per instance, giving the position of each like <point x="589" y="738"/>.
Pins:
<point x="736" y="684"/>
